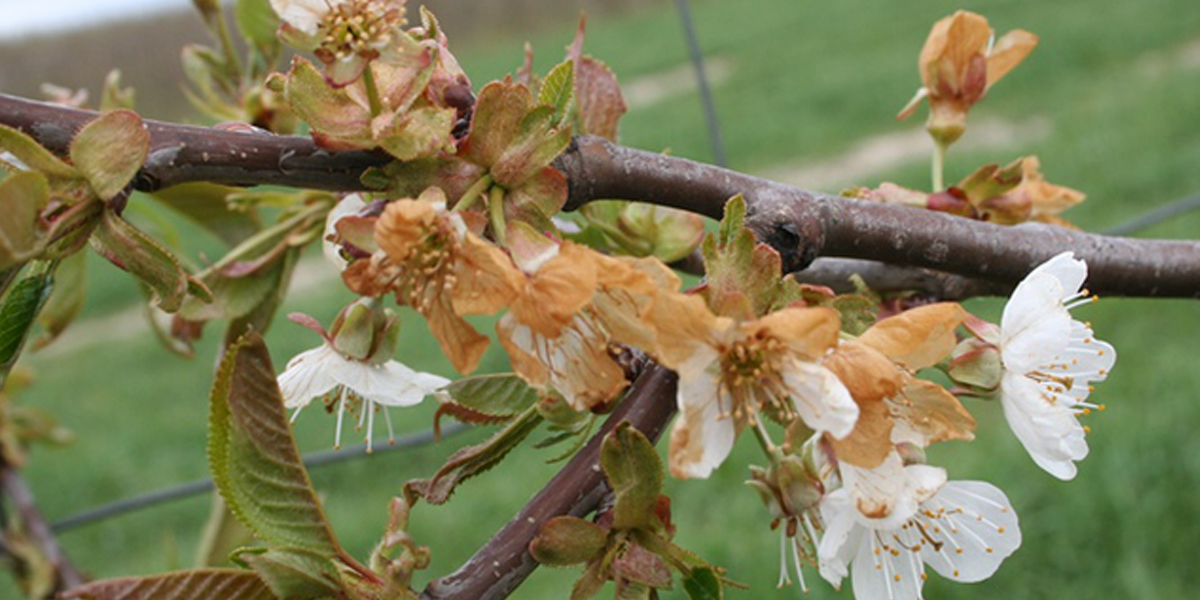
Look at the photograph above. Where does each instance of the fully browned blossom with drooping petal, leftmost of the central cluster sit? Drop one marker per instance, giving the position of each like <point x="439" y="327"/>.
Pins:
<point x="436" y="265"/>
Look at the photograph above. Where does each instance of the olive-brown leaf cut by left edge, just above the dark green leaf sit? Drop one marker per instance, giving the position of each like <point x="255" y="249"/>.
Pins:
<point x="22" y="199"/>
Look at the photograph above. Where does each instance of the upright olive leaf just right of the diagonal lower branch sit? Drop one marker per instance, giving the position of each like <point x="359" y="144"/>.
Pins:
<point x="635" y="475"/>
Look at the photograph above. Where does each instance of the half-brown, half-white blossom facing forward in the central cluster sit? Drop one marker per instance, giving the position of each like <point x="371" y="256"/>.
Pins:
<point x="730" y="371"/>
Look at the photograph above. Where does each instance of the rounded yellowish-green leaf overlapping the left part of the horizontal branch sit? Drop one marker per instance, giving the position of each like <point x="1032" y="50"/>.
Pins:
<point x="110" y="151"/>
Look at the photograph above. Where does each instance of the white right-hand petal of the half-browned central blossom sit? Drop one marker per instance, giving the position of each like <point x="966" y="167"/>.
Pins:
<point x="821" y="399"/>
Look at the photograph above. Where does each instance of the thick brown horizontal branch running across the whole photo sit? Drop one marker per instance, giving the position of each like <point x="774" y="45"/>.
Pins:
<point x="801" y="225"/>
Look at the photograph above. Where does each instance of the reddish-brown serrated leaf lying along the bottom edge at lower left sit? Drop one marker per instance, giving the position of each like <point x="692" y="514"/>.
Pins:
<point x="196" y="585"/>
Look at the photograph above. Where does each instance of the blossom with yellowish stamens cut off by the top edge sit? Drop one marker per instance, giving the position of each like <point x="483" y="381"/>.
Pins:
<point x="344" y="34"/>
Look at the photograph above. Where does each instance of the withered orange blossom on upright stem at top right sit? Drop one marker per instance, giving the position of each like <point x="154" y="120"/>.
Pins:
<point x="958" y="64"/>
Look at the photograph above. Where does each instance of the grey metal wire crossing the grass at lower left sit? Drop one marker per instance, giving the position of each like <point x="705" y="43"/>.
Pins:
<point x="178" y="493"/>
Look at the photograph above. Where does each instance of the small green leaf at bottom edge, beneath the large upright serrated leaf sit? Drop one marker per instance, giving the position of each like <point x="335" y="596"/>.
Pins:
<point x="296" y="574"/>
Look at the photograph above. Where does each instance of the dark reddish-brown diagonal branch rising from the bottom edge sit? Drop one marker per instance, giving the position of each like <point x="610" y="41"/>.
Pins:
<point x="505" y="562"/>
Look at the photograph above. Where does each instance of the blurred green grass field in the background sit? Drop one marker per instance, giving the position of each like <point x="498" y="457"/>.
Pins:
<point x="1115" y="91"/>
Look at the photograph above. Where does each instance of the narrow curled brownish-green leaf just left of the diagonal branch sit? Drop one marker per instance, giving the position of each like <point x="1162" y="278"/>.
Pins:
<point x="472" y="461"/>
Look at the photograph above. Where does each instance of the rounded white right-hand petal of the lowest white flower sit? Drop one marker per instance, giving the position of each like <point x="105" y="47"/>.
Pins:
<point x="977" y="527"/>
